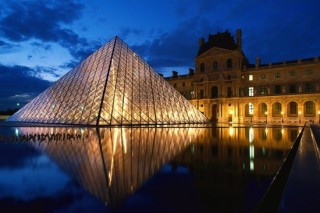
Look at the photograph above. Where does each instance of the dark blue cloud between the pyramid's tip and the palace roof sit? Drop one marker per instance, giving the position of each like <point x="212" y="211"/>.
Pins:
<point x="175" y="48"/>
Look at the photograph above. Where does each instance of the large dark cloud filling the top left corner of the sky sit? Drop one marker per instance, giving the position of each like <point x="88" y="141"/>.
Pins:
<point x="45" y="21"/>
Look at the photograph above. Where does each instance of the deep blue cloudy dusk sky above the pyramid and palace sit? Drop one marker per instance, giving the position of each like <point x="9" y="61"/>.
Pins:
<point x="41" y="40"/>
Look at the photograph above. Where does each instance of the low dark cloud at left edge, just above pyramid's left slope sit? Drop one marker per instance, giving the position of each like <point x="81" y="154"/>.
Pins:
<point x="19" y="81"/>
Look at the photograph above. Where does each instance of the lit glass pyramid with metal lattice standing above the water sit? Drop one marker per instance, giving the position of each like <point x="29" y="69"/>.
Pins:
<point x="113" y="86"/>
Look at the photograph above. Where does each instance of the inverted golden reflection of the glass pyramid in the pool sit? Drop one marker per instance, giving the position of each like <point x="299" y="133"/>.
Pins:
<point x="110" y="163"/>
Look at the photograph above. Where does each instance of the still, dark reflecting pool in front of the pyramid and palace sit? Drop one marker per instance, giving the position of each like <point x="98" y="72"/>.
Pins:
<point x="185" y="169"/>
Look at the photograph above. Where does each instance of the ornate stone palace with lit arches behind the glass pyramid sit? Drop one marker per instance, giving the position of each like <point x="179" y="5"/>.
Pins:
<point x="227" y="88"/>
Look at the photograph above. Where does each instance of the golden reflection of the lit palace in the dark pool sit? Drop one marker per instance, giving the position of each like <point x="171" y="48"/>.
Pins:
<point x="234" y="166"/>
